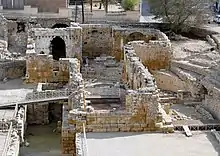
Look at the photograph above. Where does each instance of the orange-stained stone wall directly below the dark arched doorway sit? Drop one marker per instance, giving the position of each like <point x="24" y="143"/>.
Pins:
<point x="40" y="68"/>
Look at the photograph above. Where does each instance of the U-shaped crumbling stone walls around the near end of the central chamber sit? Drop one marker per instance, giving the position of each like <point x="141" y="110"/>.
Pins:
<point x="142" y="111"/>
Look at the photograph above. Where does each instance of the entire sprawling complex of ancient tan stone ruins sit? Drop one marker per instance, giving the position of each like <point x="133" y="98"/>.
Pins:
<point x="129" y="64"/>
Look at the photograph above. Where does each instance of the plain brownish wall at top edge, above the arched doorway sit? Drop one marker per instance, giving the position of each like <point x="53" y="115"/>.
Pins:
<point x="47" y="5"/>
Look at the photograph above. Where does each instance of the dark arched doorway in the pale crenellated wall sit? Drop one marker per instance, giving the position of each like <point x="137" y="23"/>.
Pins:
<point x="58" y="48"/>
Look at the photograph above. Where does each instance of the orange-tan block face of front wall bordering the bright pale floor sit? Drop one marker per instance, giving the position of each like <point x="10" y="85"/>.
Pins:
<point x="116" y="122"/>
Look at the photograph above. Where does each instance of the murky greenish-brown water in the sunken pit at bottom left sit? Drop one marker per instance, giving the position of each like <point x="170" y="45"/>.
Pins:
<point x="43" y="141"/>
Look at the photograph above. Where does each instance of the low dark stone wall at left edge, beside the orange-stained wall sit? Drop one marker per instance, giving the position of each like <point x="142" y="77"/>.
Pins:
<point x="12" y="69"/>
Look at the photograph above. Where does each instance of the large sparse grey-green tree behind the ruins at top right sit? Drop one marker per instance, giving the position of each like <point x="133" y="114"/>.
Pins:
<point x="181" y="14"/>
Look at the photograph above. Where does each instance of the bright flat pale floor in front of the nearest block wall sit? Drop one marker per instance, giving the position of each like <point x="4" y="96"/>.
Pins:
<point x="139" y="144"/>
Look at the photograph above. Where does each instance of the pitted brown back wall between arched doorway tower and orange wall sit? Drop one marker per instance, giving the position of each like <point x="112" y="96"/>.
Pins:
<point x="97" y="39"/>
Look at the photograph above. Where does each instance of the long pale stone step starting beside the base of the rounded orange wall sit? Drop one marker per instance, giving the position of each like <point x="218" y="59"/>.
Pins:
<point x="201" y="70"/>
